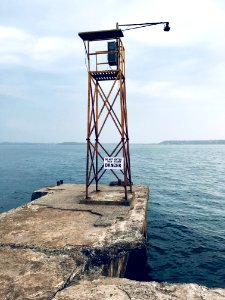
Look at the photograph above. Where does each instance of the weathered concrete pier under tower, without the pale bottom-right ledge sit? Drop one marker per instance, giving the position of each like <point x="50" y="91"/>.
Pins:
<point x="55" y="240"/>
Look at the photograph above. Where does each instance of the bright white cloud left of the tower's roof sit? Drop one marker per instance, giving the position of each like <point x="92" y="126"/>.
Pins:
<point x="22" y="48"/>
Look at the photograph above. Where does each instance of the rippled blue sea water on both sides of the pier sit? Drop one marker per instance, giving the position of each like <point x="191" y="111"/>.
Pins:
<point x="186" y="213"/>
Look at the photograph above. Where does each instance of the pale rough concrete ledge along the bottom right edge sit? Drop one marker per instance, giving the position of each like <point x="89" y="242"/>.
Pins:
<point x="124" y="289"/>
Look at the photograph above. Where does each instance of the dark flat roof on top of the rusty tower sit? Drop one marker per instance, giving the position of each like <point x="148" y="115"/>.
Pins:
<point x="101" y="35"/>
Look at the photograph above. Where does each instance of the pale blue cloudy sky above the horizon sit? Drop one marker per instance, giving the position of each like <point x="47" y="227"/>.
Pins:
<point x="175" y="80"/>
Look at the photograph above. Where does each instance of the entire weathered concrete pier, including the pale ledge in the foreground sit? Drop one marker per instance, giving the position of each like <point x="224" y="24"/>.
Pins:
<point x="63" y="247"/>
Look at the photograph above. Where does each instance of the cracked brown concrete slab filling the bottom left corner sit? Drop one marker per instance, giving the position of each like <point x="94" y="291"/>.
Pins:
<point x="27" y="274"/>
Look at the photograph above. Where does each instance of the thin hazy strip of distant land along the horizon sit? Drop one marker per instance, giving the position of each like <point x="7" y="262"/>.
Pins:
<point x="169" y="142"/>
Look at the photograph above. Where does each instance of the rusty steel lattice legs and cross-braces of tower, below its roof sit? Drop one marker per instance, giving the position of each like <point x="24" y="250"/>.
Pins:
<point x="101" y="107"/>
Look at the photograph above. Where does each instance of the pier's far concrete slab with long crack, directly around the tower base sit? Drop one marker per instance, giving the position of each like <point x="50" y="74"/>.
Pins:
<point x="59" y="221"/>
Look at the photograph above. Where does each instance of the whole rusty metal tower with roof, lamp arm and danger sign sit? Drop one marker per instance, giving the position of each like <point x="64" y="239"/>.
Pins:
<point x="107" y="102"/>
